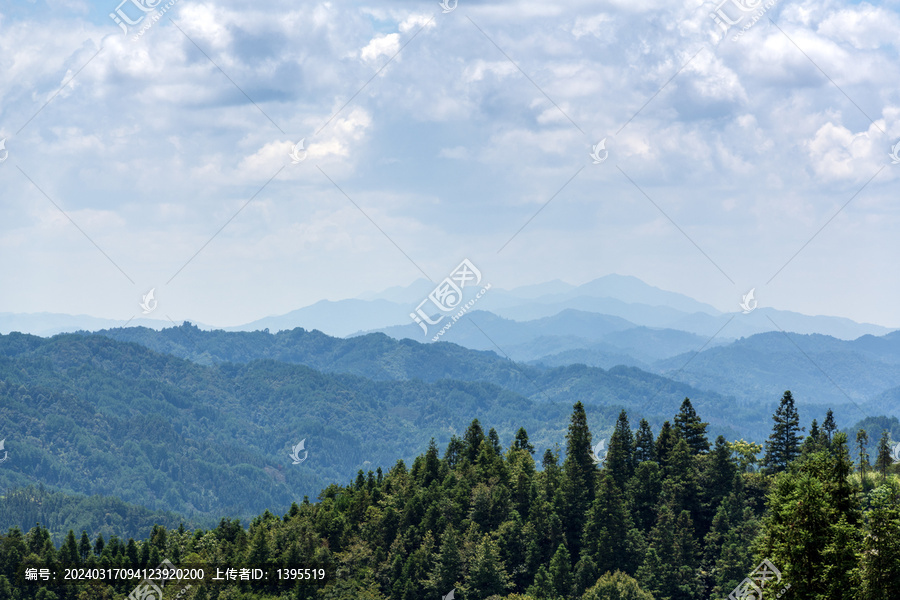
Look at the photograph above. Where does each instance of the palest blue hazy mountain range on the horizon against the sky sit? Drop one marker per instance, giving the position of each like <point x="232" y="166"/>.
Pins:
<point x="627" y="298"/>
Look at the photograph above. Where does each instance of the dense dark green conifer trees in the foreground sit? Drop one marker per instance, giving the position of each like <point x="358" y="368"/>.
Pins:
<point x="670" y="516"/>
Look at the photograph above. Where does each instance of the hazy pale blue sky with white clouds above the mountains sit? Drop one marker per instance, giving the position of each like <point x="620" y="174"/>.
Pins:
<point x="726" y="157"/>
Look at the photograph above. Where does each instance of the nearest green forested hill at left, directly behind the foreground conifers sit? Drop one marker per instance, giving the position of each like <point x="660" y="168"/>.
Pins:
<point x="92" y="415"/>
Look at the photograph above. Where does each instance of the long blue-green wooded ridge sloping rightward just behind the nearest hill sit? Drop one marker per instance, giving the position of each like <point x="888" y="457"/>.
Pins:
<point x="378" y="357"/>
